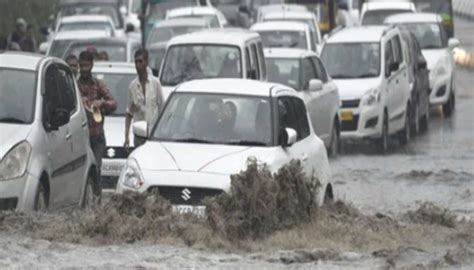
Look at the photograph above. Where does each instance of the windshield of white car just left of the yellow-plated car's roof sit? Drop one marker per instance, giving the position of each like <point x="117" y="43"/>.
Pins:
<point x="284" y="39"/>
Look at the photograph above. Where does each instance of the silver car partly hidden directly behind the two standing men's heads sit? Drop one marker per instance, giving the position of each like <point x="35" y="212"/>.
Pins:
<point x="117" y="49"/>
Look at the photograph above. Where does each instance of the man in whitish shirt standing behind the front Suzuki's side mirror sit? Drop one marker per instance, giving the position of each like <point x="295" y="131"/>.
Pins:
<point x="145" y="97"/>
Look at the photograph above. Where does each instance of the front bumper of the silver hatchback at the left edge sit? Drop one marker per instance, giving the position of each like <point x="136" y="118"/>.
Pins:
<point x="18" y="193"/>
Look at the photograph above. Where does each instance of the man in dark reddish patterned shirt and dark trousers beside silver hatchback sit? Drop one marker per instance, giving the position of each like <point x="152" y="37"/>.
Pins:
<point x="97" y="101"/>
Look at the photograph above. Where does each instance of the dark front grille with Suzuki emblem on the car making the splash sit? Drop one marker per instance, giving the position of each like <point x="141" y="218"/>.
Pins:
<point x="185" y="195"/>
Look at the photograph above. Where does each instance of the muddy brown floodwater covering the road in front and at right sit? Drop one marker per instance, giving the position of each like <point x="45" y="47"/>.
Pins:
<point x="410" y="209"/>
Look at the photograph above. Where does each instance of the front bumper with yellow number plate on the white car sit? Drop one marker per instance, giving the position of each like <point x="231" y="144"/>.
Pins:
<point x="366" y="123"/>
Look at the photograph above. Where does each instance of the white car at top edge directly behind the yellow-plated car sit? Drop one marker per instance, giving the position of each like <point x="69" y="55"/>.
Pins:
<point x="374" y="12"/>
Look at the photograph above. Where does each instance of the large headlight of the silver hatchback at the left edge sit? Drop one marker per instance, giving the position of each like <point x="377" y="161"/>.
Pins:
<point x="15" y="162"/>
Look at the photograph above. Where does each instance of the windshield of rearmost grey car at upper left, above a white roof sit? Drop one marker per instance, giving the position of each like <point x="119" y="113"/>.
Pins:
<point x="93" y="9"/>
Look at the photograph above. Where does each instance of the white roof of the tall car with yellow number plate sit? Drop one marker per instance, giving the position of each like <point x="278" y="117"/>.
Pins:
<point x="369" y="33"/>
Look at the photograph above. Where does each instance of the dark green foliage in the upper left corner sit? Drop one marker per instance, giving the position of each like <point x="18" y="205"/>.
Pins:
<point x="35" y="12"/>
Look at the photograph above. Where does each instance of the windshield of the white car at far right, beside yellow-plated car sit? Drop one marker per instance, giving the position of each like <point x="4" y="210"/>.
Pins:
<point x="428" y="34"/>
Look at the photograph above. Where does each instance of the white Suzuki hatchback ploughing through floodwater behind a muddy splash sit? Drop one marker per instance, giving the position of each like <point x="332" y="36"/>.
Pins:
<point x="208" y="131"/>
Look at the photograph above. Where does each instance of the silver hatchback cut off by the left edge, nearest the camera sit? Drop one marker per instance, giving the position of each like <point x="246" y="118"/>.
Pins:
<point x="45" y="156"/>
